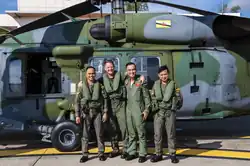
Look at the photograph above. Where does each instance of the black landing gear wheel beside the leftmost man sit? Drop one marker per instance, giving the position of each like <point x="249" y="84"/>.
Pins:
<point x="66" y="136"/>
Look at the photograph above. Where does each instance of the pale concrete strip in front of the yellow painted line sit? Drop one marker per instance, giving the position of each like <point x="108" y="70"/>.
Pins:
<point x="74" y="161"/>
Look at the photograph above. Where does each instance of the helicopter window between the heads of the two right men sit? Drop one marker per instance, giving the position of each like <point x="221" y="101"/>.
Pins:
<point x="147" y="66"/>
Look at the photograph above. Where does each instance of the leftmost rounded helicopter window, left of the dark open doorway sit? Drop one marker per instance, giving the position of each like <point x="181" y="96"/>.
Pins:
<point x="15" y="75"/>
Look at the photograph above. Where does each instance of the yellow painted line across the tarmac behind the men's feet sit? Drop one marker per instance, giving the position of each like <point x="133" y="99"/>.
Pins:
<point x="194" y="152"/>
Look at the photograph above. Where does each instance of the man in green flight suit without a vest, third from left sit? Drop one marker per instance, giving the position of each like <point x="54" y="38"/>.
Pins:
<point x="138" y="105"/>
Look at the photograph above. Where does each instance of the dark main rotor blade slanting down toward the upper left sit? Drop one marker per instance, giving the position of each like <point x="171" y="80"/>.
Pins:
<point x="57" y="17"/>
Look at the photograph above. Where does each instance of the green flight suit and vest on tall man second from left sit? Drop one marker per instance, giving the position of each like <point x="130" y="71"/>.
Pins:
<point x="117" y="116"/>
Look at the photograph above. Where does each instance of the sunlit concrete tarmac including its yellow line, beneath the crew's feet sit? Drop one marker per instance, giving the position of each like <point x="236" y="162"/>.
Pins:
<point x="203" y="152"/>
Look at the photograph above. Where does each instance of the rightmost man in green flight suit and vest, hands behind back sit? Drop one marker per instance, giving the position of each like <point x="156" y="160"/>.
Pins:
<point x="164" y="105"/>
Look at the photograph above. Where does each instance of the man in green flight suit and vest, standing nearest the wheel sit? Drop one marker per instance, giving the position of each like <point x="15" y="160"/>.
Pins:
<point x="91" y="107"/>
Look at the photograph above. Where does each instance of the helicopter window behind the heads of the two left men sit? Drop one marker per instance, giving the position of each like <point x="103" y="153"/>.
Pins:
<point x="97" y="63"/>
